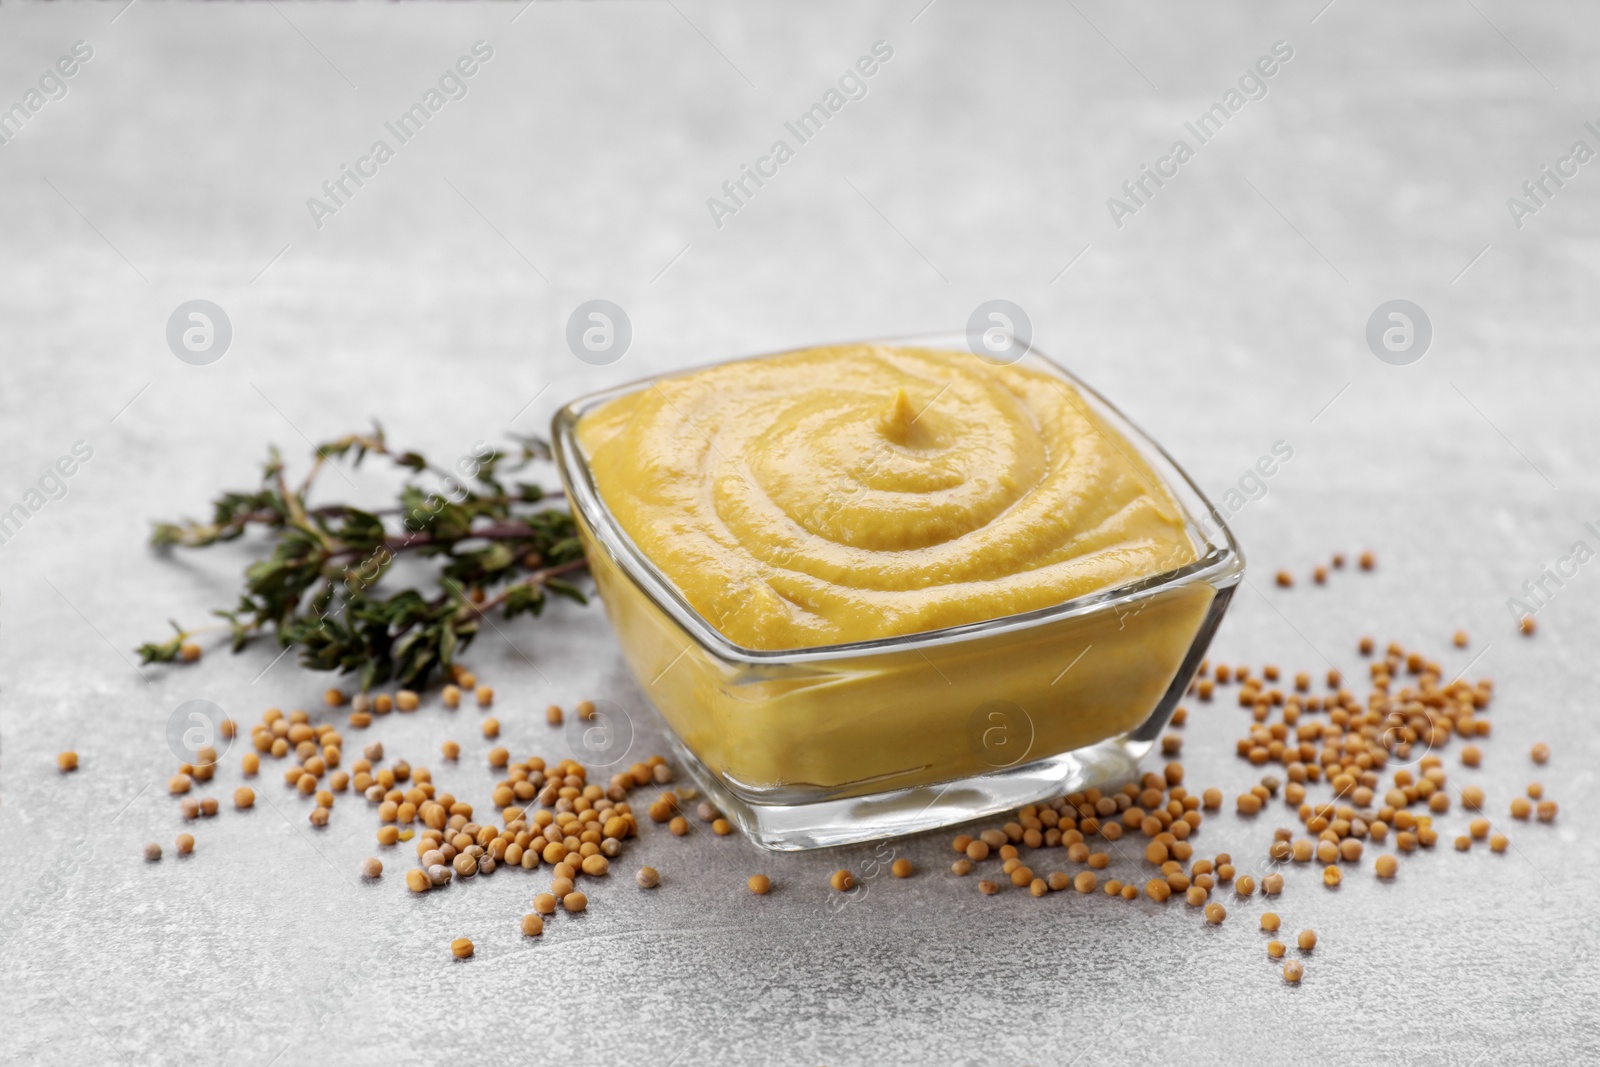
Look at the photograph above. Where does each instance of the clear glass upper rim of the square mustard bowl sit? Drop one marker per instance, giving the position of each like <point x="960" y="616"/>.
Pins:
<point x="1222" y="565"/>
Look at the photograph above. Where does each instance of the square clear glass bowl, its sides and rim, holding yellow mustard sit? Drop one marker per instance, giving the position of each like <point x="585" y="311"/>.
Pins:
<point x="852" y="743"/>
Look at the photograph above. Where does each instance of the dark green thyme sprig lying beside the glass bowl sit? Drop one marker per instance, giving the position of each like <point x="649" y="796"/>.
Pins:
<point x="500" y="545"/>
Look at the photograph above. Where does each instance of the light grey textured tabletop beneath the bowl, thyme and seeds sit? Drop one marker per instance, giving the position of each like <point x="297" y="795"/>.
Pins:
<point x="1225" y="316"/>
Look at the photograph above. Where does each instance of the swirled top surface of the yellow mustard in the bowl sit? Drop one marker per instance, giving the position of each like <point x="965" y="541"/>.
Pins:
<point x="858" y="492"/>
